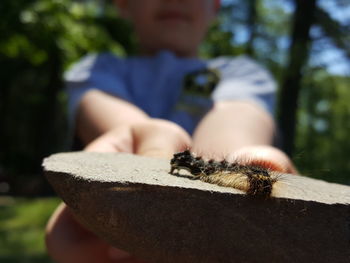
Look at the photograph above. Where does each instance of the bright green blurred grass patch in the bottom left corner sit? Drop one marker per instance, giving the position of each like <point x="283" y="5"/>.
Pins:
<point x="22" y="229"/>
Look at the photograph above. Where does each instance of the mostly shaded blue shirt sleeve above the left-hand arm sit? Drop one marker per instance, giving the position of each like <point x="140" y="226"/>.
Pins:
<point x="97" y="71"/>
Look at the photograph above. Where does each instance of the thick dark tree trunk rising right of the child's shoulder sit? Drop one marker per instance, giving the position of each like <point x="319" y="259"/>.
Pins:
<point x="304" y="17"/>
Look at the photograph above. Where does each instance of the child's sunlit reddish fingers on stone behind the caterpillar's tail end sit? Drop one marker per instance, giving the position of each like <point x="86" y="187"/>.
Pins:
<point x="266" y="156"/>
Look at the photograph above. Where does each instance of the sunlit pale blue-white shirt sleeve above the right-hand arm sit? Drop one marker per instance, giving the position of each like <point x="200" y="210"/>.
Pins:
<point x="243" y="79"/>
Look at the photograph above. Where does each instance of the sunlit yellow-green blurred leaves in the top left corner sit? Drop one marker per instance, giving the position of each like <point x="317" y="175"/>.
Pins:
<point x="43" y="26"/>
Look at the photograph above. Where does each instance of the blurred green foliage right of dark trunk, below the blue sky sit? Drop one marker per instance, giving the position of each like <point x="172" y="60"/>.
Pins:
<point x="322" y="140"/>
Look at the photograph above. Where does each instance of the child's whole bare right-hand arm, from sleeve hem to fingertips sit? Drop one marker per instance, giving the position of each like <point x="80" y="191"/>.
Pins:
<point x="242" y="130"/>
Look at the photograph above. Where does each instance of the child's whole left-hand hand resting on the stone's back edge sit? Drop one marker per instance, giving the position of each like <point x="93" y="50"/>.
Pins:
<point x="153" y="137"/>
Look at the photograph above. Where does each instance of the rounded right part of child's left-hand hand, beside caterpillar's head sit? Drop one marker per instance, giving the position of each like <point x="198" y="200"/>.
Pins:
<point x="159" y="138"/>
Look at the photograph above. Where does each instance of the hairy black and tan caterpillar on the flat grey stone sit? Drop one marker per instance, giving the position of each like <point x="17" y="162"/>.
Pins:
<point x="255" y="180"/>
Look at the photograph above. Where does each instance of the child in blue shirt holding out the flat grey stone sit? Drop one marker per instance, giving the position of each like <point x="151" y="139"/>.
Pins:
<point x="158" y="103"/>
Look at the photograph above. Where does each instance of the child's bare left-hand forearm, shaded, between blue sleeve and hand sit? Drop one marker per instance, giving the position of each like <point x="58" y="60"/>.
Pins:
<point x="99" y="113"/>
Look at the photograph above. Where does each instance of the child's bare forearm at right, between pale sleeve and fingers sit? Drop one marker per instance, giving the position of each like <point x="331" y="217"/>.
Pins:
<point x="230" y="126"/>
